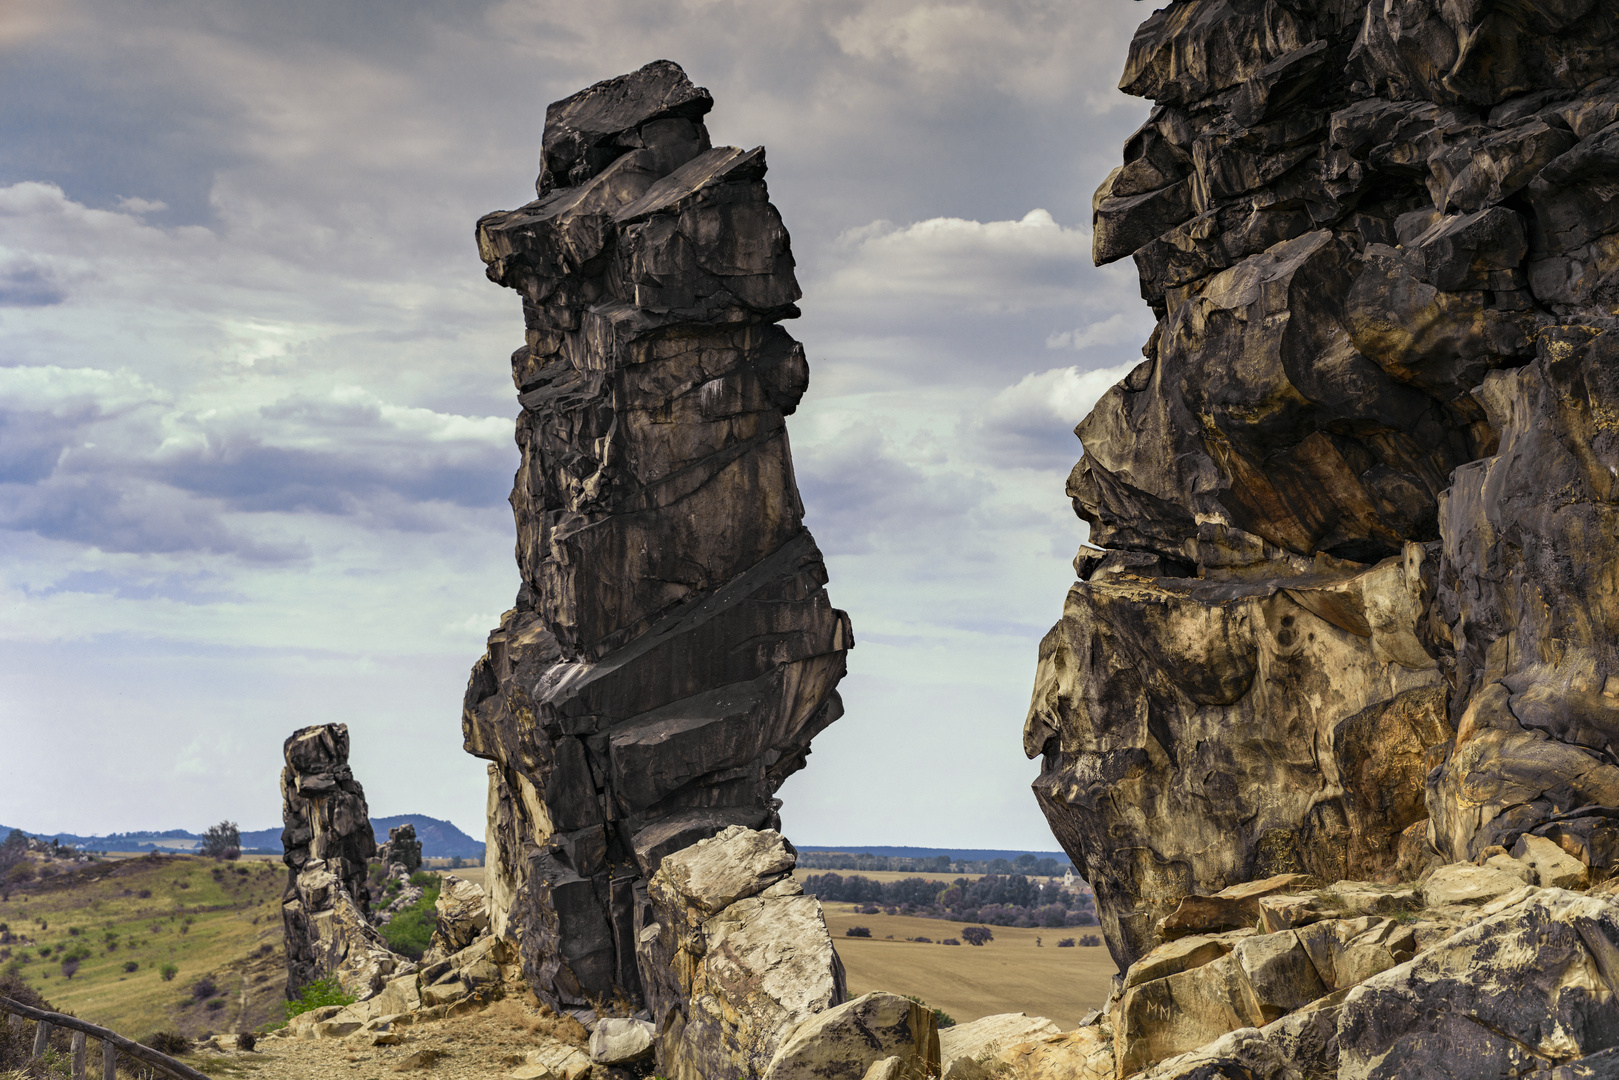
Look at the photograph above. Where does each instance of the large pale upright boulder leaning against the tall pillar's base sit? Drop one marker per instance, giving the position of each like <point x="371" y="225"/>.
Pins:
<point x="734" y="958"/>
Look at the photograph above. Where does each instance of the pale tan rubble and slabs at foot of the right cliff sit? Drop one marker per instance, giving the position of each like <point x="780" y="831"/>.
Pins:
<point x="1497" y="969"/>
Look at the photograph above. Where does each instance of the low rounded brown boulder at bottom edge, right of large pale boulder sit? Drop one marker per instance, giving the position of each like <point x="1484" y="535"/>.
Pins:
<point x="846" y="1042"/>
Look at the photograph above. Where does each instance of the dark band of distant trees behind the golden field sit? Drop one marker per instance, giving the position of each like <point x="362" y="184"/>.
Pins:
<point x="993" y="899"/>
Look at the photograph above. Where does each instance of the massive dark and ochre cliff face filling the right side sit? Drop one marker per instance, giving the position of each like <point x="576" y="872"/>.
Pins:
<point x="1358" y="506"/>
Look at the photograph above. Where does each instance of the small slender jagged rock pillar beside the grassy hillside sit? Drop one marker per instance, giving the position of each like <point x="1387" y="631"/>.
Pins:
<point x="328" y="846"/>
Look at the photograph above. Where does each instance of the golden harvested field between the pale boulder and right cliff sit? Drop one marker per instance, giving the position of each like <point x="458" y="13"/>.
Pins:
<point x="969" y="982"/>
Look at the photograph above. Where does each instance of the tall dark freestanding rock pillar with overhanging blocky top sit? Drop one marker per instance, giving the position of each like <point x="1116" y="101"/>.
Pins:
<point x="673" y="650"/>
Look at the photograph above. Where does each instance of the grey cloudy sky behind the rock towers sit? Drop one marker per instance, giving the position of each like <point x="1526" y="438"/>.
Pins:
<point x="257" y="412"/>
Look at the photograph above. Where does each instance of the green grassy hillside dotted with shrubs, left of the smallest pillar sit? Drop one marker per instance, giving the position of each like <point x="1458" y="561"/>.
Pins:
<point x="129" y="921"/>
